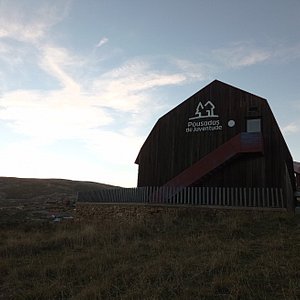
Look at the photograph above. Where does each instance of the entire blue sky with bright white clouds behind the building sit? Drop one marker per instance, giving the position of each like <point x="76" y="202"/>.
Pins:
<point x="82" y="83"/>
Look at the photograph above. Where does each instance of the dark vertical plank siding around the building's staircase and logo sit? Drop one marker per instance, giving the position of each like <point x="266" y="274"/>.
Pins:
<point x="169" y="149"/>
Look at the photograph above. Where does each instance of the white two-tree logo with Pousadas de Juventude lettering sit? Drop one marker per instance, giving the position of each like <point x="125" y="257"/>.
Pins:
<point x="207" y="112"/>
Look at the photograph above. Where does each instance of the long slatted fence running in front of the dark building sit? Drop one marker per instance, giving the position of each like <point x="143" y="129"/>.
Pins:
<point x="207" y="196"/>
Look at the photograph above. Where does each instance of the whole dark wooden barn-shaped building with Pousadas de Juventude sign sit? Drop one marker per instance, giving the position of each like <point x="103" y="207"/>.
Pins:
<point x="221" y="136"/>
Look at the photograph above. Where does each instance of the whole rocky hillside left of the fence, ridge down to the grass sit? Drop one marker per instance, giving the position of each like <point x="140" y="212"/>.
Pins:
<point x="25" y="199"/>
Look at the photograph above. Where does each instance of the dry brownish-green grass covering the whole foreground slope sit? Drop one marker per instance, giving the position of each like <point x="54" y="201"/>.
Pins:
<point x="192" y="255"/>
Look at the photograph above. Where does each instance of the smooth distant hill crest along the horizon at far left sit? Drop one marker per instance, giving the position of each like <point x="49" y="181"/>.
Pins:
<point x="27" y="188"/>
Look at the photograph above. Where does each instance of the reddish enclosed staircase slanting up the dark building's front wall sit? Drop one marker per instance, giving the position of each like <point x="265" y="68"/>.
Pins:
<point x="245" y="142"/>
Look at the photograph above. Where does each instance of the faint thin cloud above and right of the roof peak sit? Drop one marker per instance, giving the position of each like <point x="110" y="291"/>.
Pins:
<point x="241" y="55"/>
